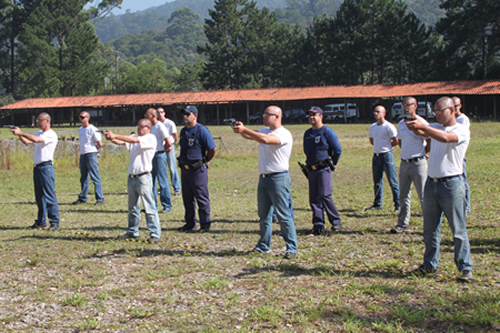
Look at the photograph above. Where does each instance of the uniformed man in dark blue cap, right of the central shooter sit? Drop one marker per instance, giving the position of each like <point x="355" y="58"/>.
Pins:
<point x="322" y="149"/>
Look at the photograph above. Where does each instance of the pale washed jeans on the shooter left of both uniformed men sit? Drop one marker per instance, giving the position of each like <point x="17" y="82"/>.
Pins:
<point x="141" y="188"/>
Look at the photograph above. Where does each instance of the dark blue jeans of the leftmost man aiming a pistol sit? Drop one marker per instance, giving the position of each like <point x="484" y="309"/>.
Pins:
<point x="45" y="194"/>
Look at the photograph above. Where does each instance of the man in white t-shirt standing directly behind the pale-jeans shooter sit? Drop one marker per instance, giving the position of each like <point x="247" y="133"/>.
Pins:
<point x="159" y="173"/>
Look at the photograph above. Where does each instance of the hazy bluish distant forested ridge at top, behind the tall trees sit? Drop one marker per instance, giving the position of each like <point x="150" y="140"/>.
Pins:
<point x="299" y="12"/>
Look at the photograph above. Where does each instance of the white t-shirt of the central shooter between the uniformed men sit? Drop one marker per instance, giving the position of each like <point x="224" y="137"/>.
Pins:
<point x="274" y="158"/>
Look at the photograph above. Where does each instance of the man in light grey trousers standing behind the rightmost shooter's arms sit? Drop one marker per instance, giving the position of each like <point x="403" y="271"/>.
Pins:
<point x="413" y="167"/>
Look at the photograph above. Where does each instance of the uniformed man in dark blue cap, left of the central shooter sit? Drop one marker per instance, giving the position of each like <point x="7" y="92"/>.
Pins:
<point x="197" y="149"/>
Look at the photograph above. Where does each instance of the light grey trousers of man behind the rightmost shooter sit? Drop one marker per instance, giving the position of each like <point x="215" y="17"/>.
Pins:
<point x="409" y="172"/>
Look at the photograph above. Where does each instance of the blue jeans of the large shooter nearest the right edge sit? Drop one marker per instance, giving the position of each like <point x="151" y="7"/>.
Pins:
<point x="446" y="197"/>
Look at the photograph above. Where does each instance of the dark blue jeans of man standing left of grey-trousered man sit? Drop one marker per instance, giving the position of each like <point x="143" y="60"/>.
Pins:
<point x="380" y="164"/>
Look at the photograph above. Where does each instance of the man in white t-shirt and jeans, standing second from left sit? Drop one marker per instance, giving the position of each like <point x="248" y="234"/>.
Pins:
<point x="90" y="143"/>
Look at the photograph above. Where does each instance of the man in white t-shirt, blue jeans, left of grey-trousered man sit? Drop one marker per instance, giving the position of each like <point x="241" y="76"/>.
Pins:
<point x="383" y="136"/>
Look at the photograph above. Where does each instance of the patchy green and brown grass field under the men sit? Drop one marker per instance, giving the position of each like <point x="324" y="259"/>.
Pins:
<point x="80" y="278"/>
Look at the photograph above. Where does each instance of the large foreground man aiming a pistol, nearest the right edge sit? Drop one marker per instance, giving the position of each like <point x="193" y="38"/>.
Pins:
<point x="445" y="189"/>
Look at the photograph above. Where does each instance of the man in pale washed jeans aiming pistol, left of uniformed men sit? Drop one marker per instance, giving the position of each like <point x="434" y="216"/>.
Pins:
<point x="142" y="149"/>
